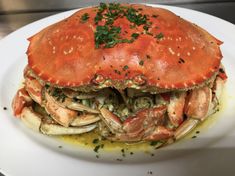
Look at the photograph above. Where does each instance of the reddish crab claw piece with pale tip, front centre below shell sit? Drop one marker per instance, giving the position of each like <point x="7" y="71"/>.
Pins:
<point x="145" y="125"/>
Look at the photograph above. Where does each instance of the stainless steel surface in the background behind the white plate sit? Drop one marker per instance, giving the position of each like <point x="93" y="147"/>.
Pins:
<point x="15" y="14"/>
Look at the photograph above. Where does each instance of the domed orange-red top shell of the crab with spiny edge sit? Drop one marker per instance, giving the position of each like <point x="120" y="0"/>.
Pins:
<point x="64" y="53"/>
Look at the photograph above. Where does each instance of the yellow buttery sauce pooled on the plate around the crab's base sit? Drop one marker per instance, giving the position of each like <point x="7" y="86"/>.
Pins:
<point x="87" y="140"/>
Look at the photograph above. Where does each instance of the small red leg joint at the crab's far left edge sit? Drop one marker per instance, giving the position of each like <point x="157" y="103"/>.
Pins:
<point x="21" y="100"/>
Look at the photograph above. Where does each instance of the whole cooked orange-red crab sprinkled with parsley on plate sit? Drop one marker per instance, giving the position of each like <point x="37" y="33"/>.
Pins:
<point x="130" y="72"/>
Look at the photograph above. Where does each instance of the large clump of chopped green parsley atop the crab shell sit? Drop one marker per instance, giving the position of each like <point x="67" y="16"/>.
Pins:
<point x="107" y="35"/>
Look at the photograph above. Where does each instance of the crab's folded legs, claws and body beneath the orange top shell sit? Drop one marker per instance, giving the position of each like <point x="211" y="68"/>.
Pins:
<point x="128" y="115"/>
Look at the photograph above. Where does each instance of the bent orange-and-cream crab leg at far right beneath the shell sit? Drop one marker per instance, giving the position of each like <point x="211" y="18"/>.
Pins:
<point x="199" y="105"/>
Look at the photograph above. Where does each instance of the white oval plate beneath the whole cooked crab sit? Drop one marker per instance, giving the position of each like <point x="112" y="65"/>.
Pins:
<point x="23" y="152"/>
